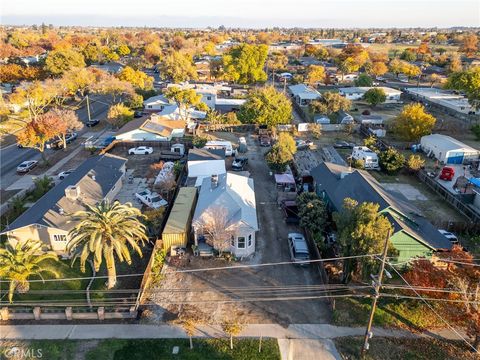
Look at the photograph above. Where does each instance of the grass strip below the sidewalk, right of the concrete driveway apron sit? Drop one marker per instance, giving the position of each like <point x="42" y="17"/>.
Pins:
<point x="403" y="349"/>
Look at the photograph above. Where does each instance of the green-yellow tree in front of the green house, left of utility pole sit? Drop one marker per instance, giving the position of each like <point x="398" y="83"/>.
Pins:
<point x="361" y="230"/>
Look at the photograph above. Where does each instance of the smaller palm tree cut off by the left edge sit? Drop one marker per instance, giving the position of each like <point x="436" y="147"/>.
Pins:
<point x="19" y="263"/>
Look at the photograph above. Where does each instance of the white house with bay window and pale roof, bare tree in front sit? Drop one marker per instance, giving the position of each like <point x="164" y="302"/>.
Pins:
<point x="225" y="217"/>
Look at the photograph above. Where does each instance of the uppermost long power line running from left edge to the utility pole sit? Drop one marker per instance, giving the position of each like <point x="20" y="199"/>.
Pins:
<point x="236" y="267"/>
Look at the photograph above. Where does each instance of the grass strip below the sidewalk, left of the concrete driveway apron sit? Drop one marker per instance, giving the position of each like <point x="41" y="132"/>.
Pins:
<point x="212" y="349"/>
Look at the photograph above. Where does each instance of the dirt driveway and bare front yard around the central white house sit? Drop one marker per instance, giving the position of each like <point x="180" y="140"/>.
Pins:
<point x="248" y="294"/>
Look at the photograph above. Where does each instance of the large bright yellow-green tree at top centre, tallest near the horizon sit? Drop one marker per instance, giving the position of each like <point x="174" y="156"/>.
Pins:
<point x="244" y="63"/>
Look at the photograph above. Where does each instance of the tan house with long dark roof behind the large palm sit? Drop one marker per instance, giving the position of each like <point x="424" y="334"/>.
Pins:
<point x="49" y="219"/>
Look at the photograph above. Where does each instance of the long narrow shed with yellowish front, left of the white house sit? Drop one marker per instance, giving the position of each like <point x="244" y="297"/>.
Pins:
<point x="178" y="227"/>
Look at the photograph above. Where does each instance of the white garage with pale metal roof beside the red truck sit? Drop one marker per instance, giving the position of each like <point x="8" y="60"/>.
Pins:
<point x="447" y="149"/>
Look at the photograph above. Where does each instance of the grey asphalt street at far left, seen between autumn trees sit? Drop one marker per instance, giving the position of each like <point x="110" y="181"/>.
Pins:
<point x="11" y="156"/>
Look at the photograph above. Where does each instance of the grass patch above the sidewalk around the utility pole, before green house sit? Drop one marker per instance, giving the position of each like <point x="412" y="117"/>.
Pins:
<point x="389" y="313"/>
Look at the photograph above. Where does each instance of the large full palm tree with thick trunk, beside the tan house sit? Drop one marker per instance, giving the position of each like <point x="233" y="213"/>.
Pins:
<point x="104" y="231"/>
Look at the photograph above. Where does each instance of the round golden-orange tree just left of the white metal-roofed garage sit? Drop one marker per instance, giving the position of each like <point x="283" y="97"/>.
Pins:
<point x="413" y="122"/>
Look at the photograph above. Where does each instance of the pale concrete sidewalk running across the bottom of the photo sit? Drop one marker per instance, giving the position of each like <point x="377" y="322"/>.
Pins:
<point x="133" y="331"/>
